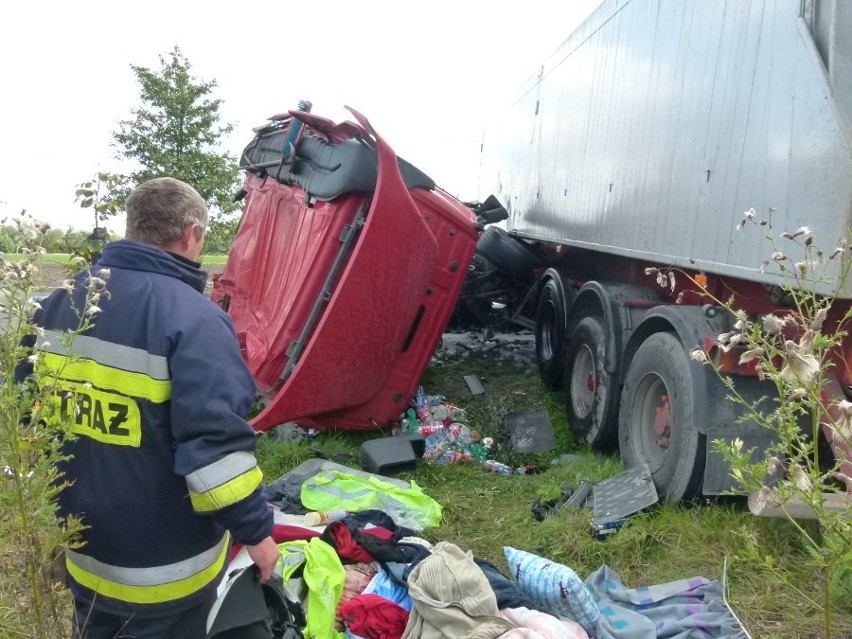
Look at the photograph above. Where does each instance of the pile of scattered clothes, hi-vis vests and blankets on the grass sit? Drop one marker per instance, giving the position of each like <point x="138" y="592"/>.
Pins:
<point x="369" y="575"/>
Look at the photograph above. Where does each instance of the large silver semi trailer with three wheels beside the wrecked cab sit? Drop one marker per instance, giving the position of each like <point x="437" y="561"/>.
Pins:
<point x="640" y="143"/>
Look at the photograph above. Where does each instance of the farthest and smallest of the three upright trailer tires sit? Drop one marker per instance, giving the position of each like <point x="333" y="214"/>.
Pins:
<point x="550" y="327"/>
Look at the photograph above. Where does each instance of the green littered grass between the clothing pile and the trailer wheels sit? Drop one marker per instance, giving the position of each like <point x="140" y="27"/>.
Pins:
<point x="772" y="582"/>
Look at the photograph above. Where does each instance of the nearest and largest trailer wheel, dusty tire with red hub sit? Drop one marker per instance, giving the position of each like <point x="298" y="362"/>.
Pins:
<point x="656" y="424"/>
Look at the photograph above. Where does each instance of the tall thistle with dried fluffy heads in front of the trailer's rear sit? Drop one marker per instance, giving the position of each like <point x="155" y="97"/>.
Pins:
<point x="795" y="348"/>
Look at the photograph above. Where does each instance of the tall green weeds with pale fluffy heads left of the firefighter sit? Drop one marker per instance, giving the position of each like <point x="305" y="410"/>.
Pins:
<point x="33" y="600"/>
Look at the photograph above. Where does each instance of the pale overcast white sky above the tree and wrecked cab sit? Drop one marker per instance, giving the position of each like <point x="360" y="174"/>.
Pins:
<point x="428" y="76"/>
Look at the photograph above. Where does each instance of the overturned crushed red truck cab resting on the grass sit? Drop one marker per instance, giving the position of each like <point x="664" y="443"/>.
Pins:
<point x="343" y="275"/>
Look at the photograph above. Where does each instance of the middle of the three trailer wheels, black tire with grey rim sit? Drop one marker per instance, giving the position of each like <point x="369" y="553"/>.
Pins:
<point x="591" y="392"/>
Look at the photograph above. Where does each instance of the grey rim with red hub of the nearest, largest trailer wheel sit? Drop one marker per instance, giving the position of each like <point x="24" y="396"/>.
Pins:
<point x="655" y="422"/>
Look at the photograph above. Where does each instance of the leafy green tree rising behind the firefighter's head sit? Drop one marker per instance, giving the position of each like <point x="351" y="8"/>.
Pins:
<point x="177" y="132"/>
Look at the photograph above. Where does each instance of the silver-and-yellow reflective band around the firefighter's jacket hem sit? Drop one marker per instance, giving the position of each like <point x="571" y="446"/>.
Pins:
<point x="145" y="592"/>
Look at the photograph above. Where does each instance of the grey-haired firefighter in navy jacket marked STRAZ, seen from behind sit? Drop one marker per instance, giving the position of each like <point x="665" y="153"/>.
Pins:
<point x="161" y="470"/>
